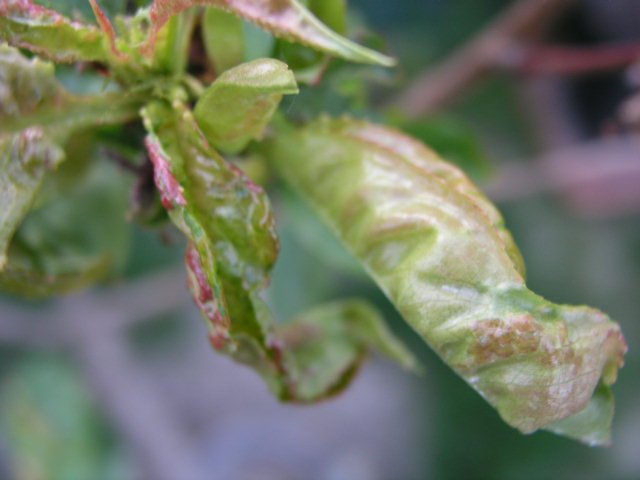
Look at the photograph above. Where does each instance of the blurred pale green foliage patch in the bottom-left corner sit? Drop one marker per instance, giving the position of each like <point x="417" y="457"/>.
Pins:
<point x="50" y="427"/>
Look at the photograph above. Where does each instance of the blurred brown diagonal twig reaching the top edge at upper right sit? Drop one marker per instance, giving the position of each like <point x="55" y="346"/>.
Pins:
<point x="440" y="84"/>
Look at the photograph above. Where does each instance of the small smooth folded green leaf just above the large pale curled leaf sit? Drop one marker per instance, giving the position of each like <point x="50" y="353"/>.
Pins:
<point x="236" y="108"/>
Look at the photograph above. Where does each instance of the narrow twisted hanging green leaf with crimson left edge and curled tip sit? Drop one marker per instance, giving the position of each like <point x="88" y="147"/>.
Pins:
<point x="232" y="247"/>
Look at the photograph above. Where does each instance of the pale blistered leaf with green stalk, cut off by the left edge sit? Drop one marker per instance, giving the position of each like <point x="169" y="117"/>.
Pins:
<point x="37" y="117"/>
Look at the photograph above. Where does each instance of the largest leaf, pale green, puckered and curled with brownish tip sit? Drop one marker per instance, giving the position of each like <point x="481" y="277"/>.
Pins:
<point x="439" y="251"/>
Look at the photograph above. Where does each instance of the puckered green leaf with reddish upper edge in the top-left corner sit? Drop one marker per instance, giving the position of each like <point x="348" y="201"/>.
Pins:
<point x="26" y="24"/>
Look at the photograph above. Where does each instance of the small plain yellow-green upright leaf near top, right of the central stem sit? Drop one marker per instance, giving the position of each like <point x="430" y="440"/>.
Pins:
<point x="224" y="39"/>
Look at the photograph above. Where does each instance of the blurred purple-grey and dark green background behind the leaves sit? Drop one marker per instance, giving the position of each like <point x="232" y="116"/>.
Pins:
<point x="541" y="109"/>
